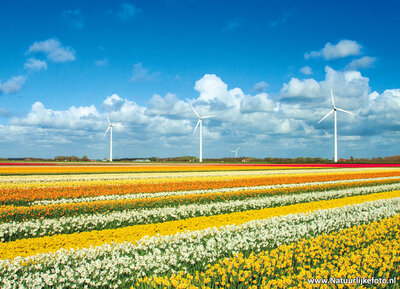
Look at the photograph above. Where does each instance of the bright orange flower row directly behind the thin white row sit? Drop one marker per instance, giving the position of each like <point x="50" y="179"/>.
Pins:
<point x="23" y="196"/>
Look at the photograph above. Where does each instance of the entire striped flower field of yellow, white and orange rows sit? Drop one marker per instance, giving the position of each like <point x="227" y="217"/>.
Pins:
<point x="199" y="226"/>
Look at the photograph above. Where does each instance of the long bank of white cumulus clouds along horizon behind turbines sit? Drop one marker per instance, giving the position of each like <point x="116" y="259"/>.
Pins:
<point x="264" y="125"/>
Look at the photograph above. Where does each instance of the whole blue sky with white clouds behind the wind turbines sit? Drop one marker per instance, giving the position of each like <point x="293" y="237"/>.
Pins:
<point x="263" y="68"/>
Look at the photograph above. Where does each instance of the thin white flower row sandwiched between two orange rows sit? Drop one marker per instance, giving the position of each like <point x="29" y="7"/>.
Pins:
<point x="181" y="193"/>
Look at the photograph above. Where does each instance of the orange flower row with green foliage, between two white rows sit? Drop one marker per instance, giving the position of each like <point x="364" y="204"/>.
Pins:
<point x="26" y="213"/>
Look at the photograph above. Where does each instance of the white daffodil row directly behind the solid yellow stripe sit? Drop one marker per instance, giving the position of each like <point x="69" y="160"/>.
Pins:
<point x="86" y="222"/>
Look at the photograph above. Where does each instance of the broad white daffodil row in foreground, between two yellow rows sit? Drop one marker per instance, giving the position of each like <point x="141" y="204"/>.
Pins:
<point x="120" y="265"/>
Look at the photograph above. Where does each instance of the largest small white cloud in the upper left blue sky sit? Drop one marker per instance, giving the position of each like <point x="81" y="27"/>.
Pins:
<point x="53" y="50"/>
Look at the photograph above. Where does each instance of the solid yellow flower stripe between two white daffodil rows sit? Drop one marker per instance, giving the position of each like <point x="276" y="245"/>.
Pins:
<point x="28" y="247"/>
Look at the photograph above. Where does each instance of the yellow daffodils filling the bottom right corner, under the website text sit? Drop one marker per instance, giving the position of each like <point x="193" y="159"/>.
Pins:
<point x="364" y="252"/>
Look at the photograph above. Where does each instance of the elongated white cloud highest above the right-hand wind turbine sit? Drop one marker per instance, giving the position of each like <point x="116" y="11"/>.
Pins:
<point x="342" y="49"/>
